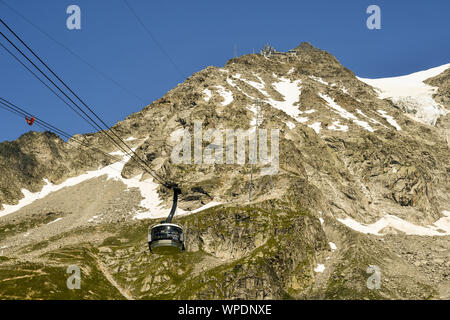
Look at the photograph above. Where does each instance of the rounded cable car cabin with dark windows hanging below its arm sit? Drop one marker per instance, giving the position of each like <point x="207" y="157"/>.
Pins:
<point x="166" y="238"/>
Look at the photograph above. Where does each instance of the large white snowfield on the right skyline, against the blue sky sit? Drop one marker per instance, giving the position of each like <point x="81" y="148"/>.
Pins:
<point x="411" y="94"/>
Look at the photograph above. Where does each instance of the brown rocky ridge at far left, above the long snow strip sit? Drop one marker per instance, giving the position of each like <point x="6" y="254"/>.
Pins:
<point x="36" y="156"/>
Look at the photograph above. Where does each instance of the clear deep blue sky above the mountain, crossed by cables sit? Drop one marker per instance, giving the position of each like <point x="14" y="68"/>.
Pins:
<point x="196" y="34"/>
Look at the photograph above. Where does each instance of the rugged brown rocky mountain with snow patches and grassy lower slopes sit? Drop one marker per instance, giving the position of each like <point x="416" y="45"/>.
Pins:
<point x="357" y="177"/>
